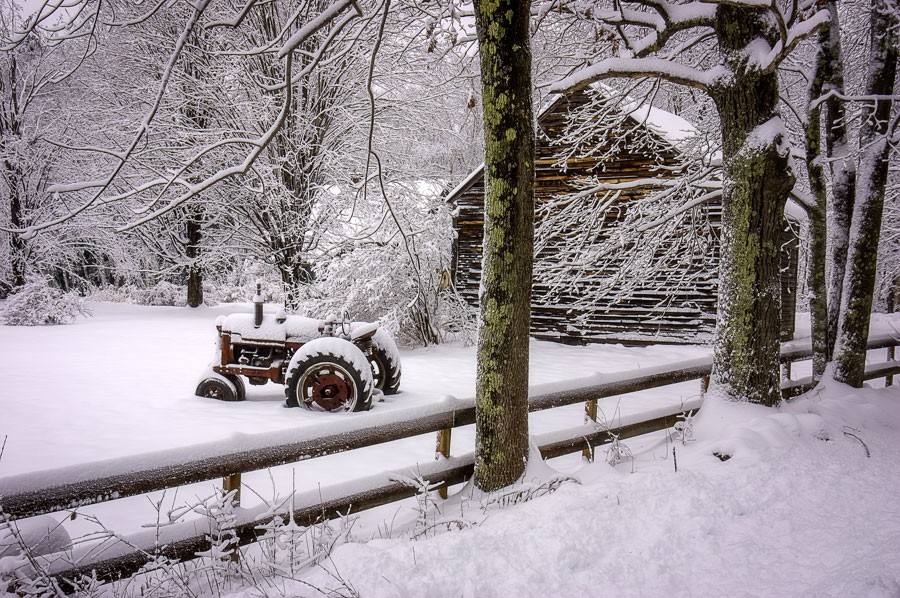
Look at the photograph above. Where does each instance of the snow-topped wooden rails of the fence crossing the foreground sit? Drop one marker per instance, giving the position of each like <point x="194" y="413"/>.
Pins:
<point x="65" y="489"/>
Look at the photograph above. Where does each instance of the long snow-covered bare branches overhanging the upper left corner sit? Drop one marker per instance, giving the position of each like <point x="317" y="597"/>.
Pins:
<point x="184" y="174"/>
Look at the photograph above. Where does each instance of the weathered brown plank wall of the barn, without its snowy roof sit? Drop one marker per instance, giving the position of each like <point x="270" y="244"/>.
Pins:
<point x="651" y="313"/>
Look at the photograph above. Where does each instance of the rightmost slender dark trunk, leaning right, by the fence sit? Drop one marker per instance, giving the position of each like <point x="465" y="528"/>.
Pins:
<point x="871" y="178"/>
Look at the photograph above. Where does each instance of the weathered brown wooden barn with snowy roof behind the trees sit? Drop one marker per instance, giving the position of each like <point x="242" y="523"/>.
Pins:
<point x="579" y="294"/>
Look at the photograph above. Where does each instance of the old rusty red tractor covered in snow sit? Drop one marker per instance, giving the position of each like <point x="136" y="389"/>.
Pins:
<point x="325" y="365"/>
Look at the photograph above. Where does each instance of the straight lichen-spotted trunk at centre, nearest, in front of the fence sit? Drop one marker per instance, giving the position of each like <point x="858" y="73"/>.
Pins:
<point x="501" y="388"/>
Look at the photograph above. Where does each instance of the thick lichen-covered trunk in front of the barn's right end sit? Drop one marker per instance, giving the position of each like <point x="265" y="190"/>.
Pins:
<point x="757" y="182"/>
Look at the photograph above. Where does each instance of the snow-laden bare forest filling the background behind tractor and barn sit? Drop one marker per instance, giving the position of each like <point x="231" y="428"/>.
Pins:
<point x="145" y="159"/>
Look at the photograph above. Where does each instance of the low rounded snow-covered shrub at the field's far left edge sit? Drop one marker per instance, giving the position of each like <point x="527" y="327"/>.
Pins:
<point x="38" y="303"/>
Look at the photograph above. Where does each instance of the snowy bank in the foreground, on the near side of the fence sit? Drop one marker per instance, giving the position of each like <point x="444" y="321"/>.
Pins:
<point x="798" y="510"/>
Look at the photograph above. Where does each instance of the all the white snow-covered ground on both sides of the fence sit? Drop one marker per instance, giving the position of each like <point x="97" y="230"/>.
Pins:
<point x="805" y="503"/>
